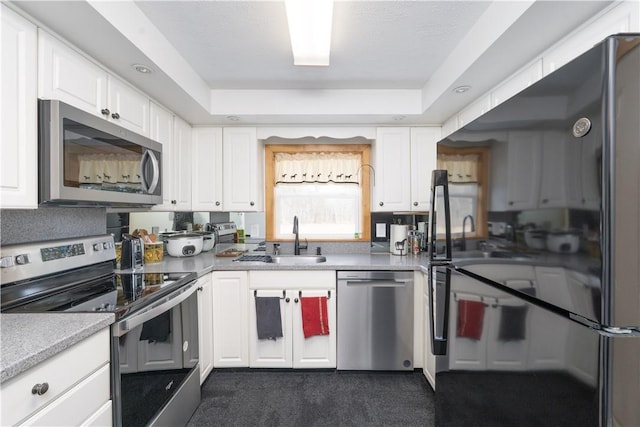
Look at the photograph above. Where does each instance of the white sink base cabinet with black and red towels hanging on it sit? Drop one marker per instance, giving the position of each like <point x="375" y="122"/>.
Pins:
<point x="293" y="350"/>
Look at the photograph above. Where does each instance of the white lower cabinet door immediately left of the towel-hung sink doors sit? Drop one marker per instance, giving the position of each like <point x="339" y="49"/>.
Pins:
<point x="230" y="319"/>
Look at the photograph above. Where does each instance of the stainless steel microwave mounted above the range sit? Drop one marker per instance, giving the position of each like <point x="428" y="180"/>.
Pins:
<point x="84" y="160"/>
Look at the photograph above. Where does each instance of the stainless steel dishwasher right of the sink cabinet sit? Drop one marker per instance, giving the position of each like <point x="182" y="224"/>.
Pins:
<point x="375" y="320"/>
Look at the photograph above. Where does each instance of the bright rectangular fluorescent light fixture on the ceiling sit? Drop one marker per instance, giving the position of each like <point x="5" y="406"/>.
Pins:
<point x="310" y="30"/>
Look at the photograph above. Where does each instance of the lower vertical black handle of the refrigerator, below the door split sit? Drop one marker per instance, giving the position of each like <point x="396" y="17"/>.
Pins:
<point x="439" y="303"/>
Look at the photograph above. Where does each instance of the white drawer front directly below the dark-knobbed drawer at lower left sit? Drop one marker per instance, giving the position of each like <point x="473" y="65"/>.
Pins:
<point x="78" y="404"/>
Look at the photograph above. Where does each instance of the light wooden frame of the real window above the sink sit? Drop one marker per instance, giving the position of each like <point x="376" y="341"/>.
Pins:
<point x="269" y="186"/>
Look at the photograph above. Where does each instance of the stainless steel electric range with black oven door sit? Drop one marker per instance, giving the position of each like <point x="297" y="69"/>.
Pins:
<point x="154" y="350"/>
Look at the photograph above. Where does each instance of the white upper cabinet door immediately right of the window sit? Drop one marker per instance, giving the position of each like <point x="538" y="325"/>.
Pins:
<point x="391" y="161"/>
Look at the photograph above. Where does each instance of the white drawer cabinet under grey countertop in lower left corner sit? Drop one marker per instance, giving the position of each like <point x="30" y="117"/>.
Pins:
<point x="78" y="381"/>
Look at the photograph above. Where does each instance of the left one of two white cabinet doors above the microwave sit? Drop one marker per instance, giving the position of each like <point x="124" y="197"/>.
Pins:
<point x="66" y="75"/>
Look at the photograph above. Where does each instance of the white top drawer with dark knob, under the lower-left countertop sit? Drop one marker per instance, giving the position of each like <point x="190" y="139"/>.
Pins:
<point x="60" y="372"/>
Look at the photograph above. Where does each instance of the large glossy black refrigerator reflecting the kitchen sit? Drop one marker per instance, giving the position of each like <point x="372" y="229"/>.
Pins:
<point x="539" y="324"/>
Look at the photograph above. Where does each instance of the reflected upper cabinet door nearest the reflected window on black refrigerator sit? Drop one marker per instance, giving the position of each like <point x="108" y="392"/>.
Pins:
<point x="523" y="170"/>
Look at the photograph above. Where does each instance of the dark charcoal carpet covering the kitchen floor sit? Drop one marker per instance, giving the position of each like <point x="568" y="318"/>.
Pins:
<point x="314" y="398"/>
